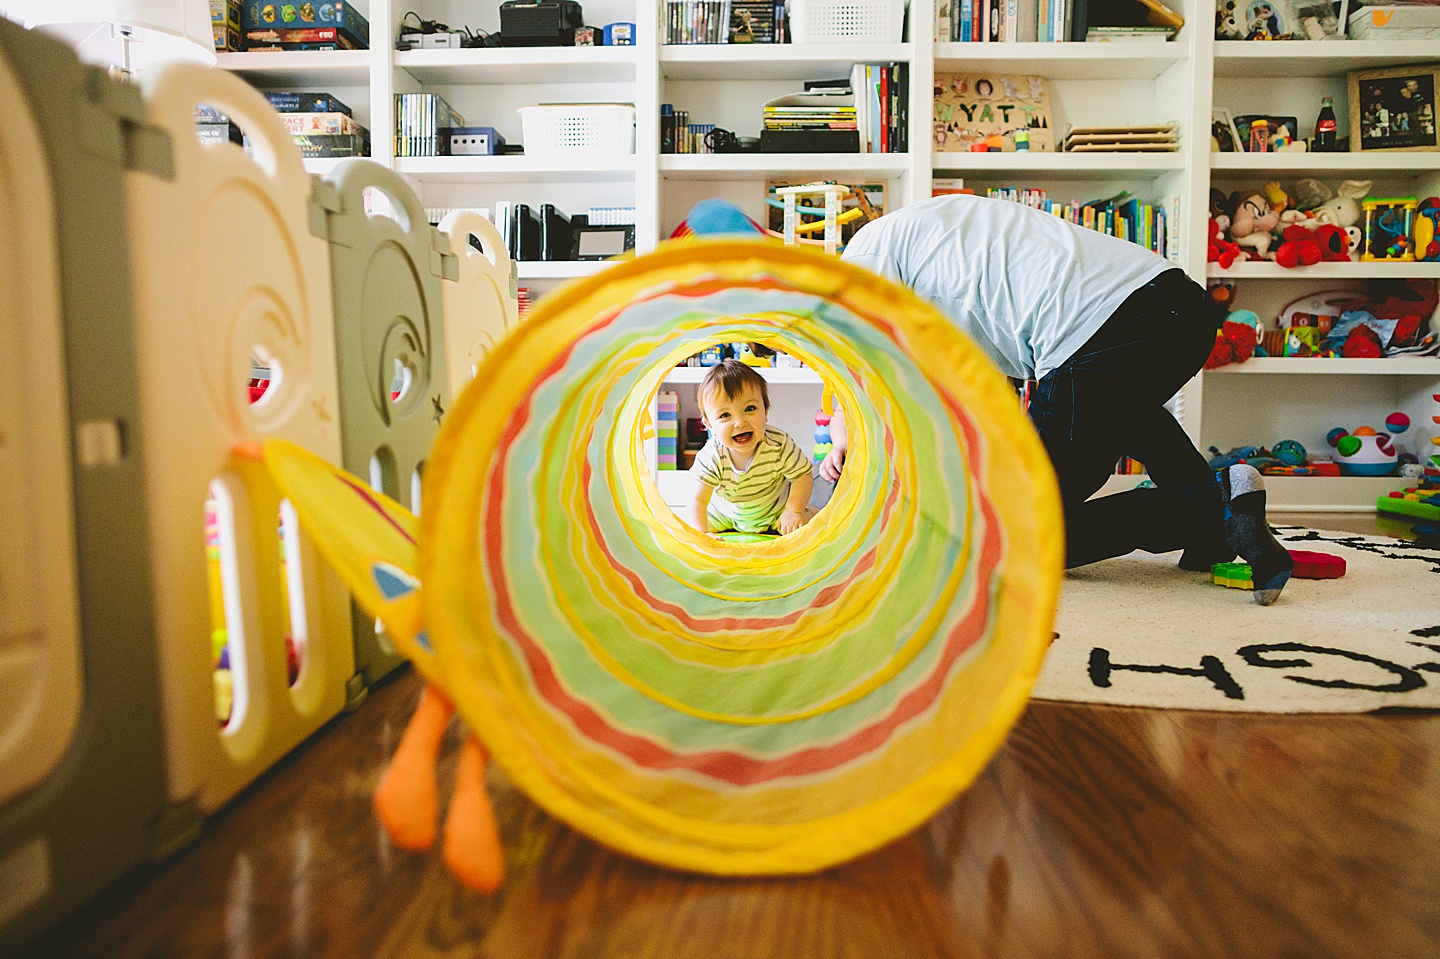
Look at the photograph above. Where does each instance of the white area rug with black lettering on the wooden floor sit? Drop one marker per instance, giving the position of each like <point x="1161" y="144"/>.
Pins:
<point x="1140" y="631"/>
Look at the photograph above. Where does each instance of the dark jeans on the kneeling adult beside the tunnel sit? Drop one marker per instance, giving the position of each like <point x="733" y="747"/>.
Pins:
<point x="1108" y="401"/>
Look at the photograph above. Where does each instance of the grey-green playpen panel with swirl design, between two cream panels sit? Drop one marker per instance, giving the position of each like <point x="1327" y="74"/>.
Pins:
<point x="391" y="345"/>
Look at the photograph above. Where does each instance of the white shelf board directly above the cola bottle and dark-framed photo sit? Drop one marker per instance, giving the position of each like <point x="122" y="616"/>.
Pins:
<point x="1290" y="60"/>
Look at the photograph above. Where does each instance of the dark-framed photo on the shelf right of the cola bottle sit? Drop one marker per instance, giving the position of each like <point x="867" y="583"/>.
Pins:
<point x="1395" y="110"/>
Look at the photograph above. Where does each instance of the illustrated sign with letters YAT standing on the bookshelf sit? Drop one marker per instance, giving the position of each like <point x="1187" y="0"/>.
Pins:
<point x="991" y="112"/>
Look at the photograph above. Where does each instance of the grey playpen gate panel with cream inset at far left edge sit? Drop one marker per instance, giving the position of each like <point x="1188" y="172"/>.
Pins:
<point x="71" y="434"/>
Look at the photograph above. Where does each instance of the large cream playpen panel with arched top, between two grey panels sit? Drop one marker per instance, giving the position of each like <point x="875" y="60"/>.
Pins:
<point x="227" y="271"/>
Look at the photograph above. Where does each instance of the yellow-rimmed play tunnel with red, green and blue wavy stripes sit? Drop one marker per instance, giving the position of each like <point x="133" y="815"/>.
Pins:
<point x="738" y="709"/>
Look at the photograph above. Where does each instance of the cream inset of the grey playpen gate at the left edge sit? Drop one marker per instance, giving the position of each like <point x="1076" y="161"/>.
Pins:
<point x="41" y="688"/>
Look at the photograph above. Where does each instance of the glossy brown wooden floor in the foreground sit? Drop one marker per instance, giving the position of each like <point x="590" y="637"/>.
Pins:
<point x="1095" y="832"/>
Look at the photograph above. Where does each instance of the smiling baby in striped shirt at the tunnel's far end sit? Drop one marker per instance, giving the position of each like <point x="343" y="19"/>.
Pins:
<point x="752" y="477"/>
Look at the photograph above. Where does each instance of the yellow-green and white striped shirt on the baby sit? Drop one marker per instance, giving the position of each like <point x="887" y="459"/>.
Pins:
<point x="754" y="499"/>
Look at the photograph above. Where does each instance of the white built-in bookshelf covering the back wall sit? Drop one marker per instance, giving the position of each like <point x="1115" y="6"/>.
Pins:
<point x="1089" y="84"/>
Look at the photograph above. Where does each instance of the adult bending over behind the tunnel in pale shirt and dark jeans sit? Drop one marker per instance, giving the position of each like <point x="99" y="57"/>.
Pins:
<point x="1111" y="332"/>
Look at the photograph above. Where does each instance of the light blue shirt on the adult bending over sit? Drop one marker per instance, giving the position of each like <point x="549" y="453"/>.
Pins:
<point x="1029" y="287"/>
